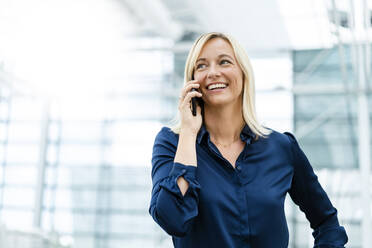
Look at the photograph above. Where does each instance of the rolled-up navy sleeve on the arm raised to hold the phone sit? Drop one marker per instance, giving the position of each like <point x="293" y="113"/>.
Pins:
<point x="169" y="208"/>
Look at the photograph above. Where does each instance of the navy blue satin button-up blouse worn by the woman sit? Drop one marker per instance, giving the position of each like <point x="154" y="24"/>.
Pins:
<point x="241" y="207"/>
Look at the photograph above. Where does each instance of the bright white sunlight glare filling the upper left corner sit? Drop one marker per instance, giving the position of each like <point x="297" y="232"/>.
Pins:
<point x="63" y="48"/>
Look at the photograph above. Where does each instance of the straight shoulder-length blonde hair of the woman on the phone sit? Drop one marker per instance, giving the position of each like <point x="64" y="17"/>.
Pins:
<point x="249" y="110"/>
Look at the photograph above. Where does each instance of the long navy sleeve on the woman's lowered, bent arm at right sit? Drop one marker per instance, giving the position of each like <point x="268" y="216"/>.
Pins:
<point x="309" y="195"/>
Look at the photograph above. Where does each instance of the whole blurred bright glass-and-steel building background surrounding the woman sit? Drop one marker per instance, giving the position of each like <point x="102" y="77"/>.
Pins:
<point x="76" y="172"/>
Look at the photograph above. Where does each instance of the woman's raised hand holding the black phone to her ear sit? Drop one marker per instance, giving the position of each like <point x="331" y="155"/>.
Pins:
<point x="189" y="122"/>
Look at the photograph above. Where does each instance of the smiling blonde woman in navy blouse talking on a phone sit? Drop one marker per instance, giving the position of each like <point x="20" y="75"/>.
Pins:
<point x="220" y="178"/>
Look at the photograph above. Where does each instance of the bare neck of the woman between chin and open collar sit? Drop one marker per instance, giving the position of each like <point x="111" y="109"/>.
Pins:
<point x="224" y="124"/>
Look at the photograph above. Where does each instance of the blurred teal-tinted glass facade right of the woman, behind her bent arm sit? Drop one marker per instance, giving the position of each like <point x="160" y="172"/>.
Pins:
<point x="331" y="143"/>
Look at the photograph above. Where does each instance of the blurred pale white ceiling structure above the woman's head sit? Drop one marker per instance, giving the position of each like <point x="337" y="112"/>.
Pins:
<point x="270" y="25"/>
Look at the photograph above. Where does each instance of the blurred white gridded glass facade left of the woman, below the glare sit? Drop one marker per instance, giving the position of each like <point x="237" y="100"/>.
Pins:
<point x="94" y="155"/>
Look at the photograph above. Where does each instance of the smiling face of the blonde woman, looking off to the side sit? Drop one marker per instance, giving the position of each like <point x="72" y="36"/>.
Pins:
<point x="220" y="74"/>
